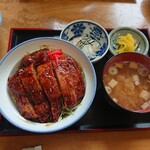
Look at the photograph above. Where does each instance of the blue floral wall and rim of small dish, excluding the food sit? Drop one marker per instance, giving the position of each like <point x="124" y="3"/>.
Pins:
<point x="97" y="33"/>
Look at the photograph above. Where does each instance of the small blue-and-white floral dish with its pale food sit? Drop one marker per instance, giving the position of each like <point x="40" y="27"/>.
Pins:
<point x="89" y="36"/>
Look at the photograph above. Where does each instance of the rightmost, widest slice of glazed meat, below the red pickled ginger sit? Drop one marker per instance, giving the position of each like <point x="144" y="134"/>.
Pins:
<point x="70" y="81"/>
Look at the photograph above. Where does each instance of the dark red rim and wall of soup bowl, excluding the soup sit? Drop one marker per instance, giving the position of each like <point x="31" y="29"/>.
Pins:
<point x="128" y="56"/>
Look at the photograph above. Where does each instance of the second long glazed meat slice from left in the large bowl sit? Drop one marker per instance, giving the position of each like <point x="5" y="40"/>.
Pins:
<point x="33" y="88"/>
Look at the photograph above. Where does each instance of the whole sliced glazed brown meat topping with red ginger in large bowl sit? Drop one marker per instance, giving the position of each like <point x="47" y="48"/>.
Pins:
<point x="50" y="81"/>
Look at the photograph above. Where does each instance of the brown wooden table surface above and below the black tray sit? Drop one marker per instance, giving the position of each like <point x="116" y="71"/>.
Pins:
<point x="55" y="14"/>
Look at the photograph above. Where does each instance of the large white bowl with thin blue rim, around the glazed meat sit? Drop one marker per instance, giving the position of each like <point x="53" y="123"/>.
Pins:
<point x="10" y="62"/>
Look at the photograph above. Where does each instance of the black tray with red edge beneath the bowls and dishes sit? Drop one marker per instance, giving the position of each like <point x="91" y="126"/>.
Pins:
<point x="101" y="116"/>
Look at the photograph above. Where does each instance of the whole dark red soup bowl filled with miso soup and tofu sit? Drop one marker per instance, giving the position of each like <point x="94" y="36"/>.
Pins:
<point x="126" y="82"/>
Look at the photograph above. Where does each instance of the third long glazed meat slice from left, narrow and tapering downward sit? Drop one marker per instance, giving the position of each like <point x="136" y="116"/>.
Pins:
<point x="49" y="83"/>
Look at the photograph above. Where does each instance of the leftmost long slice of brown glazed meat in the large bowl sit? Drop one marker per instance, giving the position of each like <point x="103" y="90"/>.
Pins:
<point x="21" y="99"/>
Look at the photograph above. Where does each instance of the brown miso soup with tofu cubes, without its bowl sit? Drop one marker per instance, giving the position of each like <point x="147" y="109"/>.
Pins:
<point x="128" y="84"/>
